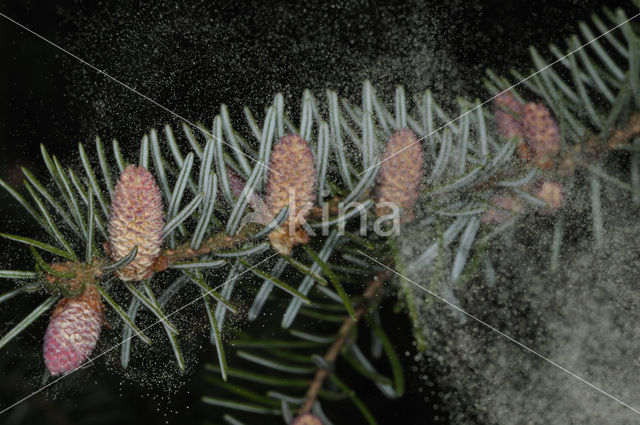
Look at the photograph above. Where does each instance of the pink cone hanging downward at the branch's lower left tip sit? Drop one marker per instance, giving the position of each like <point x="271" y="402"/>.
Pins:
<point x="74" y="329"/>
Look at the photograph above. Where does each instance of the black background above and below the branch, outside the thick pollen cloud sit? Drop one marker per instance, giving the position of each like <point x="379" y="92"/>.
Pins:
<point x="193" y="56"/>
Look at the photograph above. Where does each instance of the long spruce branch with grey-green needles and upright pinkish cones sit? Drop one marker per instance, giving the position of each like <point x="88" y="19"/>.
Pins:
<point x="476" y="177"/>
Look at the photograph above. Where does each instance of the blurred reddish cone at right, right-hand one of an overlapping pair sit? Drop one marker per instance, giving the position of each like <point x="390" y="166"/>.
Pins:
<point x="541" y="134"/>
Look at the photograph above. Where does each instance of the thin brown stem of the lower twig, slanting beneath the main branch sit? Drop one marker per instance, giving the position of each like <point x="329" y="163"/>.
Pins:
<point x="332" y="354"/>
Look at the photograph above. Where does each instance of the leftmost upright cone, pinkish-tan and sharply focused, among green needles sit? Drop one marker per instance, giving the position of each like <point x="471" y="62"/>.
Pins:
<point x="136" y="218"/>
